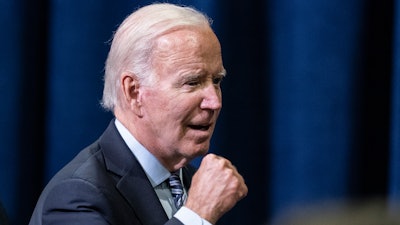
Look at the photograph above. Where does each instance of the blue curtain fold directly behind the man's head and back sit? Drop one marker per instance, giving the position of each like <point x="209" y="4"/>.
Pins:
<point x="79" y="33"/>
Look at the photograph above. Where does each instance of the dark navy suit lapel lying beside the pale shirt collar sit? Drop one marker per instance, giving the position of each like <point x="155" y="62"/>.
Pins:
<point x="133" y="184"/>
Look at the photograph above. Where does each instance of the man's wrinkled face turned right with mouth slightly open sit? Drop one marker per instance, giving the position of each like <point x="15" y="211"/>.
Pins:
<point x="180" y="110"/>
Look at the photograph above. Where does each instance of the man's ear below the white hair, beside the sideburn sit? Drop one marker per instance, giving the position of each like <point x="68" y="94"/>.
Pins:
<point x="131" y="91"/>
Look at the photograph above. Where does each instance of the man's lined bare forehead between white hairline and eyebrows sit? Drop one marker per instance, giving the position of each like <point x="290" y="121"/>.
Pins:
<point x="187" y="50"/>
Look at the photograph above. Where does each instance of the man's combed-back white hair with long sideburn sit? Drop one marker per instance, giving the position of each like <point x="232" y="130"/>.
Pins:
<point x="132" y="45"/>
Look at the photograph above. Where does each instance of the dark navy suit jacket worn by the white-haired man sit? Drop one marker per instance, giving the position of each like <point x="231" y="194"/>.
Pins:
<point x="103" y="184"/>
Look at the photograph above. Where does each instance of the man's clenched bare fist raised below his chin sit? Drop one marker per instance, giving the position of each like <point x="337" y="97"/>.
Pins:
<point x="216" y="187"/>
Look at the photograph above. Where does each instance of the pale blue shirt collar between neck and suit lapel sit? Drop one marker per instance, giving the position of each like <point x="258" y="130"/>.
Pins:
<point x="154" y="170"/>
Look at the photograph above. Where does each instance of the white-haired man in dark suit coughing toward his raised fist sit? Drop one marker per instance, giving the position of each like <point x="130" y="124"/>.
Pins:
<point x="162" y="82"/>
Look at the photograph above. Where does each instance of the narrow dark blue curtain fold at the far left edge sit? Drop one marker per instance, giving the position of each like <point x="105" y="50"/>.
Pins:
<point x="10" y="78"/>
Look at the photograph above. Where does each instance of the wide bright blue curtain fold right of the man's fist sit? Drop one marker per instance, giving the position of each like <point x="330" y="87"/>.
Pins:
<point x="315" y="60"/>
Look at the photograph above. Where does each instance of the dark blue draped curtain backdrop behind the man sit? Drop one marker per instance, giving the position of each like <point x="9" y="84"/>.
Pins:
<point x="311" y="102"/>
